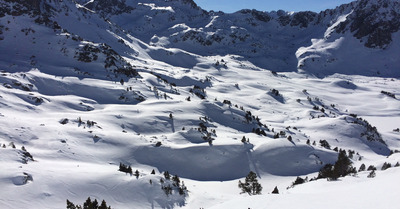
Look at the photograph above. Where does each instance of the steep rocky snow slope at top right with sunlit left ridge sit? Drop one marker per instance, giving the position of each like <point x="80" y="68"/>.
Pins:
<point x="372" y="24"/>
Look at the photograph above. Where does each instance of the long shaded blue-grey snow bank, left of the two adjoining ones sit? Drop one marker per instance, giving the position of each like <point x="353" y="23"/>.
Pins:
<point x="215" y="163"/>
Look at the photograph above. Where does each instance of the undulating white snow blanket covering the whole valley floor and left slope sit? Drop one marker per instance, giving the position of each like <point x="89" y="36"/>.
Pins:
<point x="42" y="84"/>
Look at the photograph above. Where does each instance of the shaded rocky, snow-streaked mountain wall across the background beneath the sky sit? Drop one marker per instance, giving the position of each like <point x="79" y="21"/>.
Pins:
<point x="363" y="29"/>
